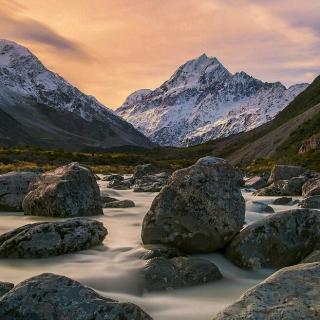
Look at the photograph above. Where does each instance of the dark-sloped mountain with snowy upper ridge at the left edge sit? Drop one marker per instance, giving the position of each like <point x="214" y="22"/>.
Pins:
<point x="38" y="107"/>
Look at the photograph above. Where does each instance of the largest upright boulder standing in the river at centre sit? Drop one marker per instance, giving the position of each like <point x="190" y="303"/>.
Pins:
<point x="199" y="210"/>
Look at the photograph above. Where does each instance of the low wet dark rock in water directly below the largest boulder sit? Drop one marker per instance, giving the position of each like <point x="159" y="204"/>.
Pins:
<point x="161" y="273"/>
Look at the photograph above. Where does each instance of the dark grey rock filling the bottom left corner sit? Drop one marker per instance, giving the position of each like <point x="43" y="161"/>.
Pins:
<point x="50" y="296"/>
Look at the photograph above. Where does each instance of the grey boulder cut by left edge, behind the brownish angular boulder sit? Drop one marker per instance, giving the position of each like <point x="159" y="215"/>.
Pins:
<point x="13" y="188"/>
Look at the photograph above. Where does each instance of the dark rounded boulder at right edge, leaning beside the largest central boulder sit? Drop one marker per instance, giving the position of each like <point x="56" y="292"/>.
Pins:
<point x="279" y="240"/>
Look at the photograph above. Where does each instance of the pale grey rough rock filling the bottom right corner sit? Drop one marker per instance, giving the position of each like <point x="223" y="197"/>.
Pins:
<point x="290" y="294"/>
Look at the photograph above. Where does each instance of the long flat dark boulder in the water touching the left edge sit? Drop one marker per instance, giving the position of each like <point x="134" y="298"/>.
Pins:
<point x="45" y="239"/>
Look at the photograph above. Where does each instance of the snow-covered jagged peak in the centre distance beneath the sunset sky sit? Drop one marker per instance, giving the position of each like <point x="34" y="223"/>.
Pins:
<point x="203" y="101"/>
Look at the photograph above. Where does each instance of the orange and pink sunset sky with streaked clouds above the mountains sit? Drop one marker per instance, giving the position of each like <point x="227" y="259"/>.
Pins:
<point x="110" y="48"/>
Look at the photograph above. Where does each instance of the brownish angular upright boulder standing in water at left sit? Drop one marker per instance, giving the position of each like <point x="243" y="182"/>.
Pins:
<point x="68" y="191"/>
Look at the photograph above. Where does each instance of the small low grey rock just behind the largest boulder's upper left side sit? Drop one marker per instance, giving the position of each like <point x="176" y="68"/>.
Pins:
<point x="151" y="183"/>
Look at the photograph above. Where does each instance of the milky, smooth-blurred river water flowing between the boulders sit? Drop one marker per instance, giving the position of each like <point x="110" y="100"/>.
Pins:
<point x="112" y="270"/>
